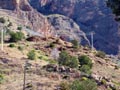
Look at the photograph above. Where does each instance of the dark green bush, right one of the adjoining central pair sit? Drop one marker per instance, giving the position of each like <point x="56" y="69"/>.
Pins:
<point x="85" y="60"/>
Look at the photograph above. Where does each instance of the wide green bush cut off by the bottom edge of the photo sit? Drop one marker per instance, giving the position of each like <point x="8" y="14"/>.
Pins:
<point x="83" y="85"/>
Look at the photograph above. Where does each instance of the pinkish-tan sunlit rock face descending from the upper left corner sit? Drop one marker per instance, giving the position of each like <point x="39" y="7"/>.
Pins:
<point x="27" y="16"/>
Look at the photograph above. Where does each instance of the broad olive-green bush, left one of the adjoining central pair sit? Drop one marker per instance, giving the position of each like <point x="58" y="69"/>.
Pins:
<point x="67" y="60"/>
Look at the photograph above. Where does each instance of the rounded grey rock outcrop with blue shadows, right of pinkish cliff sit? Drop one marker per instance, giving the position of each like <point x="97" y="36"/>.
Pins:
<point x="67" y="28"/>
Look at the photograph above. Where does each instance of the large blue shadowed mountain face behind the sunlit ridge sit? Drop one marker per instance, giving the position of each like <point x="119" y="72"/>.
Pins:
<point x="90" y="15"/>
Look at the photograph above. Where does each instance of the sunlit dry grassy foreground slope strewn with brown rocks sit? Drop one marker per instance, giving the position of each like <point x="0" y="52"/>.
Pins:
<point x="45" y="73"/>
